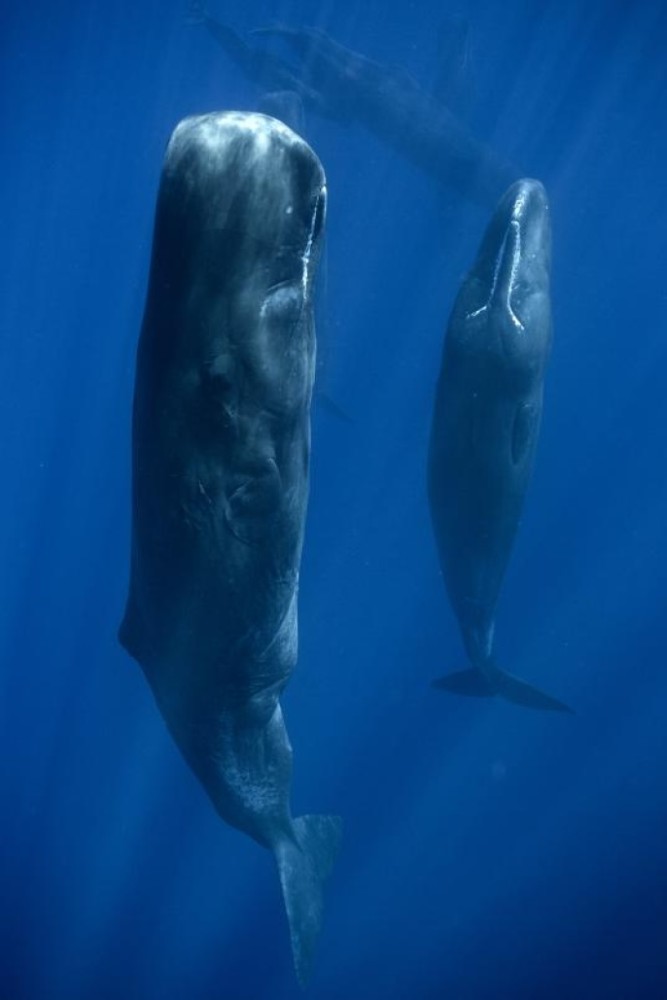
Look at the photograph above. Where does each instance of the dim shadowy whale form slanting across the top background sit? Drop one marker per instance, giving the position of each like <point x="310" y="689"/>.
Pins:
<point x="348" y="87"/>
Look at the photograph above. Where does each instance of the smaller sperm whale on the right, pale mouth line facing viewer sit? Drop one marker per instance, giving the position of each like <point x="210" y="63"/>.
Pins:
<point x="485" y="428"/>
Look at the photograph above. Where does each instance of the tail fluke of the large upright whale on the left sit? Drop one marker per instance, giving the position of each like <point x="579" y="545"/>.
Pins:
<point x="303" y="866"/>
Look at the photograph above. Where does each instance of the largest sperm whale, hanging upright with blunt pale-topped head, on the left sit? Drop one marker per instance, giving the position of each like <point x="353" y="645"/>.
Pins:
<point x="221" y="442"/>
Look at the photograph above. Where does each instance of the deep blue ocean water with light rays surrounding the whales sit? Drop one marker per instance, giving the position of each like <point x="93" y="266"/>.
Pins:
<point x="488" y="851"/>
